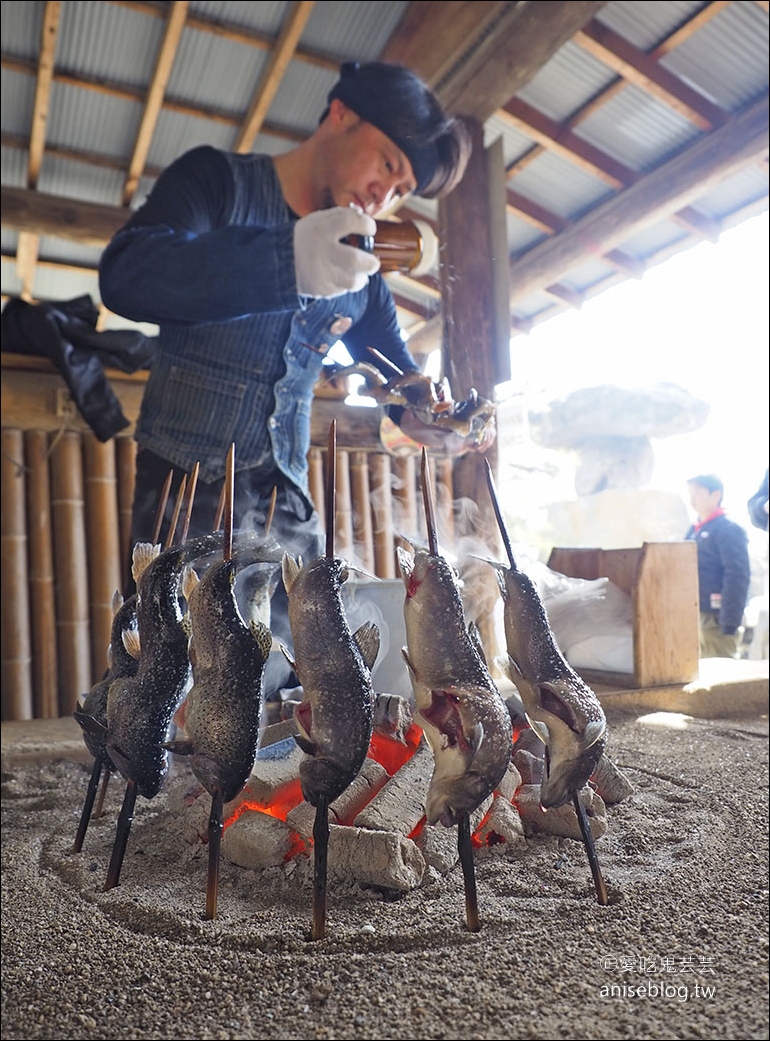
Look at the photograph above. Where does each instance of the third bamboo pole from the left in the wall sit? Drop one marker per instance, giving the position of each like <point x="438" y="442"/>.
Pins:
<point x="71" y="568"/>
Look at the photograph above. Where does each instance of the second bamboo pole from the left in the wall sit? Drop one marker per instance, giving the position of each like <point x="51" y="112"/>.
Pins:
<point x="42" y="591"/>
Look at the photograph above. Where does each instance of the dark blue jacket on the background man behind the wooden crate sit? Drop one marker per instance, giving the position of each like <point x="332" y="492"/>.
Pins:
<point x="724" y="570"/>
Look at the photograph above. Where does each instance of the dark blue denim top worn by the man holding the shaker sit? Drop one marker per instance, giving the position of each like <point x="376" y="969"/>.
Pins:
<point x="211" y="260"/>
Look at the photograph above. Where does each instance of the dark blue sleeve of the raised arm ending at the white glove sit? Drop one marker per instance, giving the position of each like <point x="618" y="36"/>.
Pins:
<point x="183" y="259"/>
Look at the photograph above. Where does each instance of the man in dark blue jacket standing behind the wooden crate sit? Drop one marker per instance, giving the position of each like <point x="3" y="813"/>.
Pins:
<point x="724" y="568"/>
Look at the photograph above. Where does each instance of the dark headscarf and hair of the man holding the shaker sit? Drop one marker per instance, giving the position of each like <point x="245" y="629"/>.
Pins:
<point x="397" y="103"/>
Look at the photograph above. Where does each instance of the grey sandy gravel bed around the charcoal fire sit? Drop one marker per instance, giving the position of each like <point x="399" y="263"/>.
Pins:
<point x="682" y="951"/>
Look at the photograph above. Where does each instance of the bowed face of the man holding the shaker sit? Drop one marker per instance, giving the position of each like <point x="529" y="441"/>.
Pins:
<point x="363" y="166"/>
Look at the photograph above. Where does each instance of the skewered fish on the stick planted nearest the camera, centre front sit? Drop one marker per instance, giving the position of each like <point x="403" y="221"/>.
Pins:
<point x="336" y="717"/>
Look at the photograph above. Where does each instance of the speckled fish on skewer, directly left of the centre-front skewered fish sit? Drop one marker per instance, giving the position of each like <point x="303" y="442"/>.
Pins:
<point x="223" y="707"/>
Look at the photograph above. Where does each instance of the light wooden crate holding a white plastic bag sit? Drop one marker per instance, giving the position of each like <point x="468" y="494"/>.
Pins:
<point x="662" y="580"/>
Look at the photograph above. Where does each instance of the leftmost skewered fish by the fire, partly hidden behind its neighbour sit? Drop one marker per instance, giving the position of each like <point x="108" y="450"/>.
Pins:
<point x="123" y="662"/>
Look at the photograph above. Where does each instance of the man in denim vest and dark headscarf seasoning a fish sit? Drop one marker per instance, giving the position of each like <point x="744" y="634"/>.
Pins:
<point x="240" y="262"/>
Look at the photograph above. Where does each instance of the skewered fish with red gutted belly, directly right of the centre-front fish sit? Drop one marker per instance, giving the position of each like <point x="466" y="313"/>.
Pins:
<point x="465" y="718"/>
